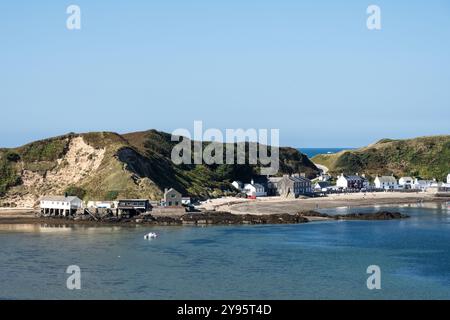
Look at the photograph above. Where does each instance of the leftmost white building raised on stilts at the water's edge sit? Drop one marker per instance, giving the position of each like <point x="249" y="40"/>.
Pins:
<point x="60" y="205"/>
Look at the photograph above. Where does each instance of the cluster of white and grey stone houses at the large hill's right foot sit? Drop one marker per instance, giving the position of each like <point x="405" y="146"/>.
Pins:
<point x="286" y="186"/>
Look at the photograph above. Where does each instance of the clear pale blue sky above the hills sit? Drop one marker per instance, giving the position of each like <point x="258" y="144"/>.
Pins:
<point x="309" y="68"/>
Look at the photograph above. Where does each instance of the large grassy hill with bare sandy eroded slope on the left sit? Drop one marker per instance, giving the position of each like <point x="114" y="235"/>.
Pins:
<point x="105" y="165"/>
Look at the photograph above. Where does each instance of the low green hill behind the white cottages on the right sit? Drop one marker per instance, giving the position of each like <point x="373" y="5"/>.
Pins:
<point x="426" y="157"/>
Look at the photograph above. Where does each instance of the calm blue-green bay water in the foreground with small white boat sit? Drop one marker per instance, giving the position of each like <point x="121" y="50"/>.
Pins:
<point x="322" y="260"/>
